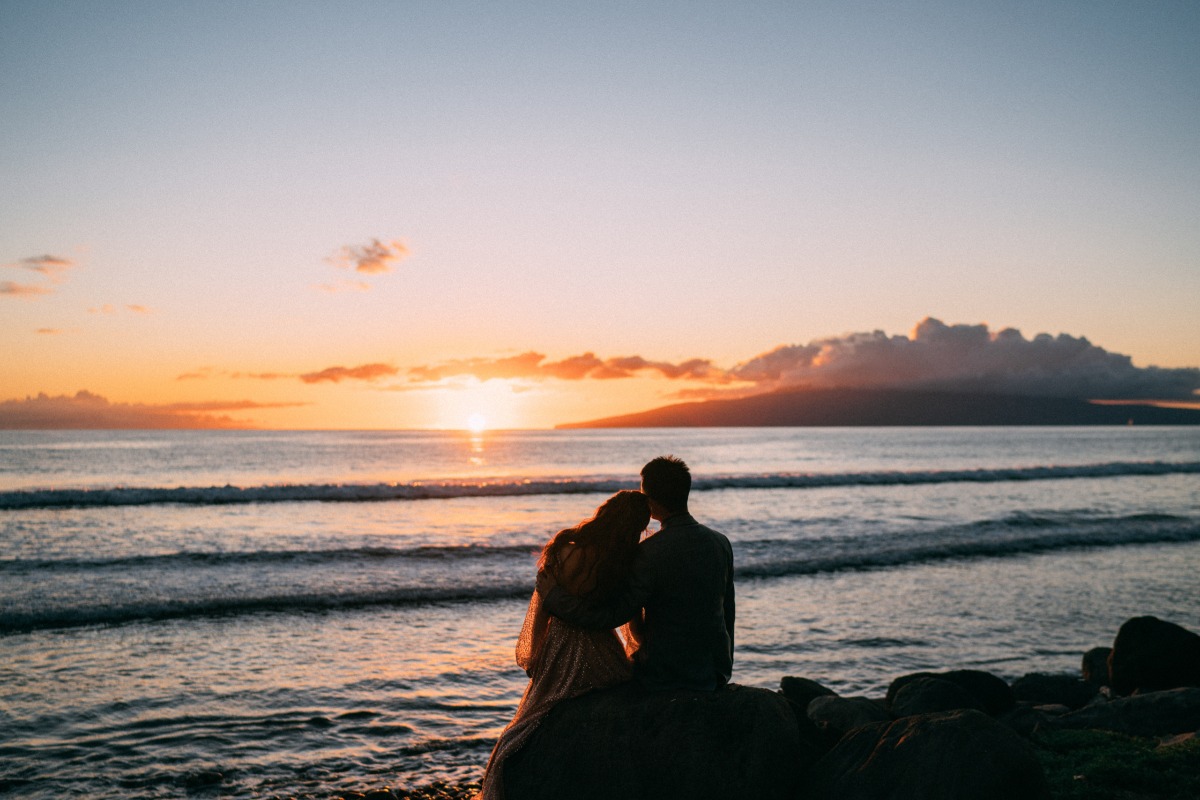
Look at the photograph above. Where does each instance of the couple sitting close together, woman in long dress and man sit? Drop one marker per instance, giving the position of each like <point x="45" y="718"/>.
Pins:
<point x="610" y="607"/>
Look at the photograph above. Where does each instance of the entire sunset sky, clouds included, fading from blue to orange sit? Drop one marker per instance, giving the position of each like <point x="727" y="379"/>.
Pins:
<point x="410" y="215"/>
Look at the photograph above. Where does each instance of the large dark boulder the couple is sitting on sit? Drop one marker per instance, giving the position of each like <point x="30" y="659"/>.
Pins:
<point x="740" y="743"/>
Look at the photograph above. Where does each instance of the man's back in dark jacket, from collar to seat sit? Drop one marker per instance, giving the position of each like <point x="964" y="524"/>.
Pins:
<point x="685" y="581"/>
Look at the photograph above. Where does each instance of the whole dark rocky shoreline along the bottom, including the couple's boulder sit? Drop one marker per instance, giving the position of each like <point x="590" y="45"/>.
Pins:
<point x="1124" y="729"/>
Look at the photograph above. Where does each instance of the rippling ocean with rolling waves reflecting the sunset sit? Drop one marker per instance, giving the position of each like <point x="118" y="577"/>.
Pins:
<point x="249" y="615"/>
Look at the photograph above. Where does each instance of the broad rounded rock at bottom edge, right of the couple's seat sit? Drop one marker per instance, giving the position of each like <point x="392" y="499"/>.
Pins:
<point x="931" y="757"/>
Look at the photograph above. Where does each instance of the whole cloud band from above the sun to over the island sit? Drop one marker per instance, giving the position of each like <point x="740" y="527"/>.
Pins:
<point x="933" y="357"/>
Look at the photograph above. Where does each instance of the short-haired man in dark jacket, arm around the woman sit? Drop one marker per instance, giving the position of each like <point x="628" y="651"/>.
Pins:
<point x="682" y="586"/>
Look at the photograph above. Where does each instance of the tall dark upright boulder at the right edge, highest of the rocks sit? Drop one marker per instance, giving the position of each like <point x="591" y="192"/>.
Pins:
<point x="1151" y="655"/>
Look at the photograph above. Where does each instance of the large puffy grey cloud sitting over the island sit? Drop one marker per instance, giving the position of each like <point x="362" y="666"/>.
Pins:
<point x="967" y="358"/>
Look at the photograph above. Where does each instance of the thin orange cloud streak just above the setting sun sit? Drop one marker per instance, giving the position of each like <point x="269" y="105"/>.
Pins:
<point x="535" y="366"/>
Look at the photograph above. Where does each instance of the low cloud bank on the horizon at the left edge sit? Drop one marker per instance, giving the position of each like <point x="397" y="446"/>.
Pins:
<point x="88" y="411"/>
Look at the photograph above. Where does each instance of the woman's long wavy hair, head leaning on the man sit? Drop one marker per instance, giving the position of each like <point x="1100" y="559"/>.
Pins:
<point x="610" y="540"/>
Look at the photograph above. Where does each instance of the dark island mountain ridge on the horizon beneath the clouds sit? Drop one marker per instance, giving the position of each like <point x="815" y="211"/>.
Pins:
<point x="891" y="407"/>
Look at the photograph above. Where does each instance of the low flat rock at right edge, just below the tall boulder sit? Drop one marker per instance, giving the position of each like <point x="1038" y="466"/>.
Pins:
<point x="1154" y="714"/>
